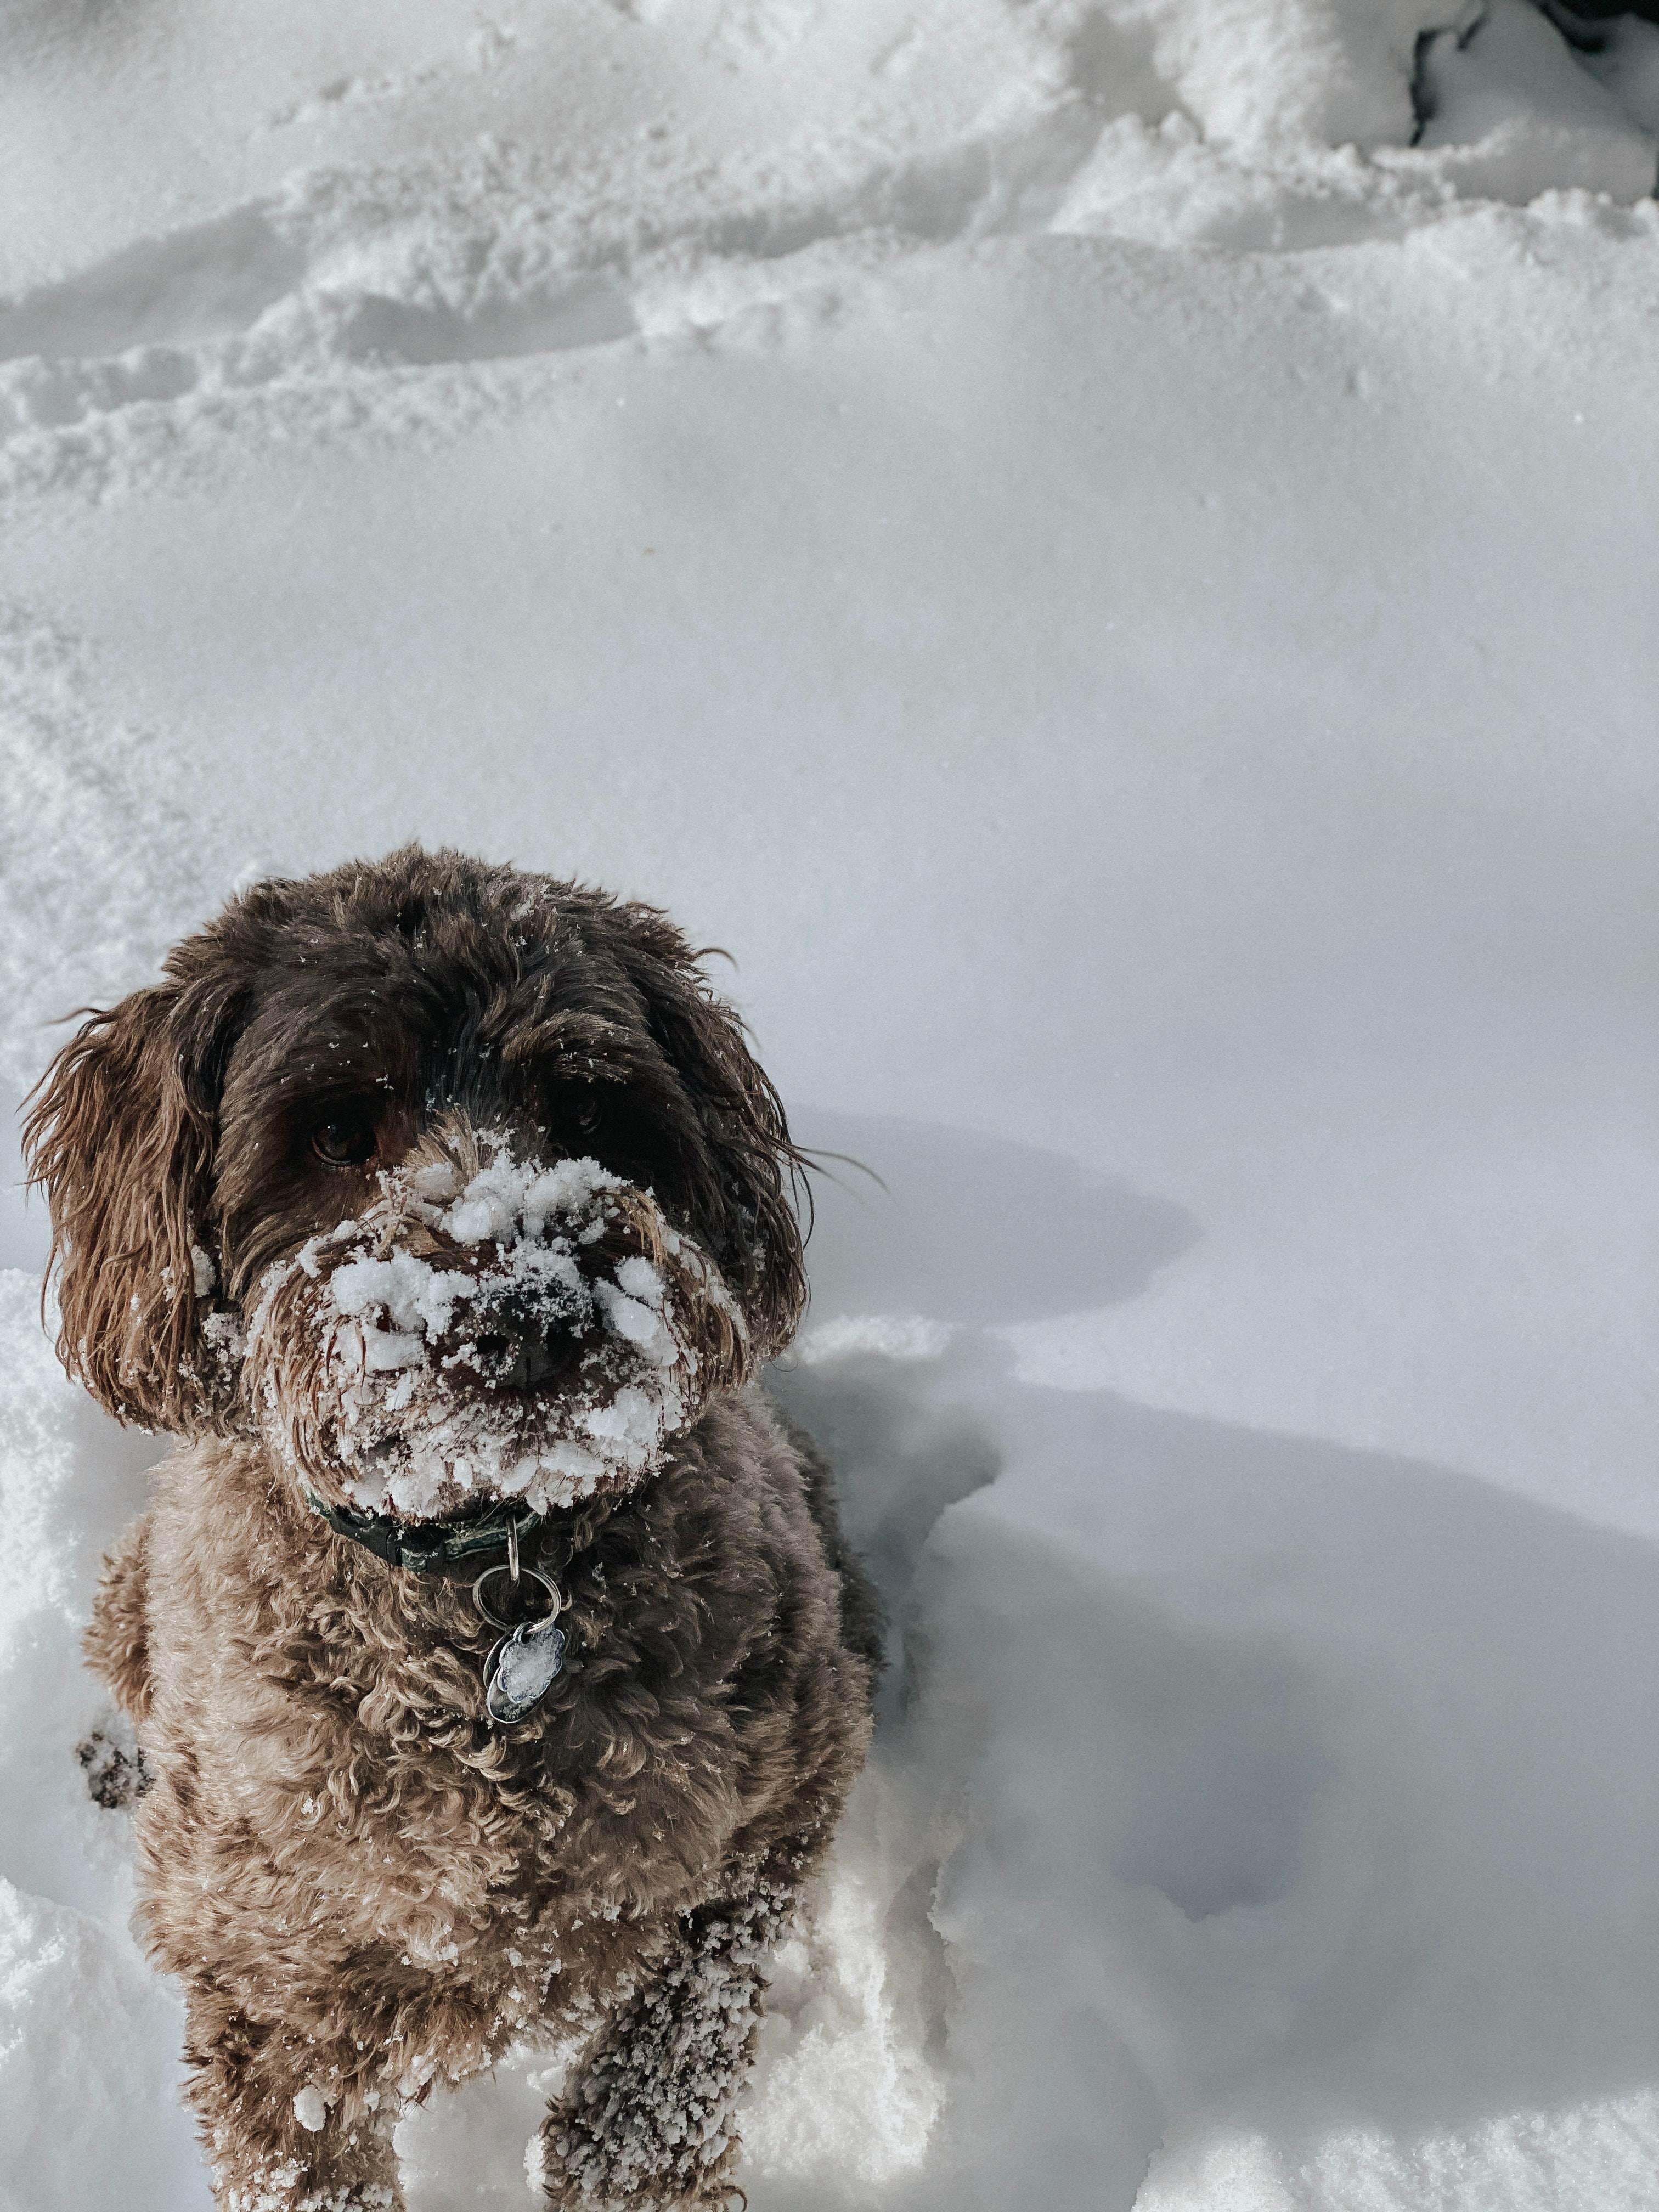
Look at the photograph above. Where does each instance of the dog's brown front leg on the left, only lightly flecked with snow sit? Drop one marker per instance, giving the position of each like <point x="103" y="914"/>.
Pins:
<point x="286" y="2127"/>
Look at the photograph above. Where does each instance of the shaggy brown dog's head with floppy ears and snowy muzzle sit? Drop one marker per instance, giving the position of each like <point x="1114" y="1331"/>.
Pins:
<point x="446" y="1178"/>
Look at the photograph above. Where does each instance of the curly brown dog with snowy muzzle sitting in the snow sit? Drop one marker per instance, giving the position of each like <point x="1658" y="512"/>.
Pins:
<point x="494" y="1651"/>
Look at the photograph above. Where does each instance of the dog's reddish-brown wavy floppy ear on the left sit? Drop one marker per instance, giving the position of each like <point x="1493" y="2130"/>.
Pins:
<point x="121" y="1138"/>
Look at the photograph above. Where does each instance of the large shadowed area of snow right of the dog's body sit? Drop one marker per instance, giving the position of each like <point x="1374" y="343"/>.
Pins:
<point x="1264" y="1793"/>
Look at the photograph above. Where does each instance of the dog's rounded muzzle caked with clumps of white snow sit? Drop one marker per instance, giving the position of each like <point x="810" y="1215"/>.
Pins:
<point x="490" y="1328"/>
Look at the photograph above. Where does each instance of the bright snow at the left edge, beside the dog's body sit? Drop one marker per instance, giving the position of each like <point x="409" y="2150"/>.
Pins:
<point x="90" y="2041"/>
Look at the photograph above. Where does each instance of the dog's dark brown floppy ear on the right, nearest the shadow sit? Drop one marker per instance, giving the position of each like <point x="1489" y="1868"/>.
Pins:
<point x="753" y="1231"/>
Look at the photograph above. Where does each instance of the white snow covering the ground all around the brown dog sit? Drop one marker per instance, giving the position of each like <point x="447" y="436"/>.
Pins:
<point x="1107" y="550"/>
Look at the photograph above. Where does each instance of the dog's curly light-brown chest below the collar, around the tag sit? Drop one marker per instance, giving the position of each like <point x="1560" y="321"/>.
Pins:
<point x="340" y="1720"/>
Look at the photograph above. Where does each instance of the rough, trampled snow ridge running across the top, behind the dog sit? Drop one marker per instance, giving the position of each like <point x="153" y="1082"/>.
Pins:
<point x="1176" y="123"/>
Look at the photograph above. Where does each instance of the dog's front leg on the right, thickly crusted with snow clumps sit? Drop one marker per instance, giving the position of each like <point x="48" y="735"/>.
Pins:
<point x="647" y="2120"/>
